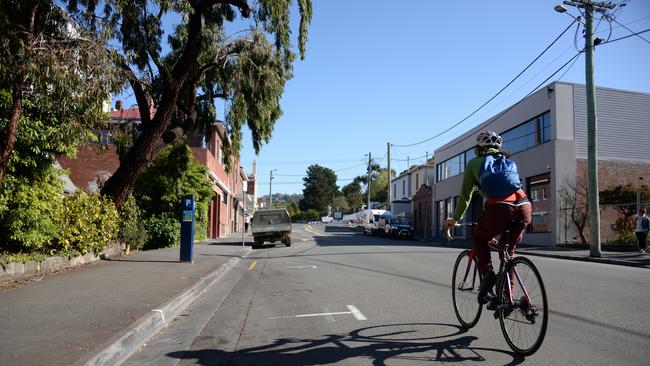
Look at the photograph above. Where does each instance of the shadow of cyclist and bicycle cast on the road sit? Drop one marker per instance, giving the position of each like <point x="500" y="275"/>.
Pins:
<point x="410" y="342"/>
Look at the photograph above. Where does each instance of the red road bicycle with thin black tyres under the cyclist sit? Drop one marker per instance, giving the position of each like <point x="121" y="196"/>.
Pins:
<point x="521" y="305"/>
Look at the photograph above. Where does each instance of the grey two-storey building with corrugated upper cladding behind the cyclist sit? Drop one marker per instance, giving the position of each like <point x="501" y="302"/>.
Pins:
<point x="547" y="134"/>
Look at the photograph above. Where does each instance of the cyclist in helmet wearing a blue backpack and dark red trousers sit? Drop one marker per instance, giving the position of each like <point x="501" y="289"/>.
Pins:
<point x="506" y="204"/>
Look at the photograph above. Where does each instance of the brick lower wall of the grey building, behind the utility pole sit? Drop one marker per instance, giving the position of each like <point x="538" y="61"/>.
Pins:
<point x="612" y="174"/>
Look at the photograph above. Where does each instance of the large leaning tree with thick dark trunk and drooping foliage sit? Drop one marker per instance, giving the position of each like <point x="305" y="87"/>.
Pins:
<point x="199" y="64"/>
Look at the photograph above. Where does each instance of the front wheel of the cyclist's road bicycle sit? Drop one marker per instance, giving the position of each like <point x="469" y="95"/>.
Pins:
<point x="465" y="283"/>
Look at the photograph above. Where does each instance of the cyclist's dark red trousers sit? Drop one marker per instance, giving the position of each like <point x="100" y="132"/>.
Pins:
<point x="493" y="222"/>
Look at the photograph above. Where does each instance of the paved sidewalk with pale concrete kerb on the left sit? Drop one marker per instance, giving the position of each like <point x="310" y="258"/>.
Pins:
<point x="100" y="313"/>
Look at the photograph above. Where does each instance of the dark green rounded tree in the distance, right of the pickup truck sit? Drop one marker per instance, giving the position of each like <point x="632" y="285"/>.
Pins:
<point x="320" y="188"/>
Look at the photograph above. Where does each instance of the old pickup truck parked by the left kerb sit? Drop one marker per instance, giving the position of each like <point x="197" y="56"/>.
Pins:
<point x="271" y="225"/>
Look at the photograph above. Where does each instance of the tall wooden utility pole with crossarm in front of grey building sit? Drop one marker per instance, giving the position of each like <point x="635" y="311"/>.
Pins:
<point x="592" y="156"/>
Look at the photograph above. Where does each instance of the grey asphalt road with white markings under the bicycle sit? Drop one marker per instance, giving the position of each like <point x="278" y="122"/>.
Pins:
<point x="340" y="298"/>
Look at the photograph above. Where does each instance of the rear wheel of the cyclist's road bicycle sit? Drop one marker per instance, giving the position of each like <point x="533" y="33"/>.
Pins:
<point x="524" y="320"/>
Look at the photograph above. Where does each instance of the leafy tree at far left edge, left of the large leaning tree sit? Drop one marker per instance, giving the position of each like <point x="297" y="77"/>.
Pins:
<point x="51" y="72"/>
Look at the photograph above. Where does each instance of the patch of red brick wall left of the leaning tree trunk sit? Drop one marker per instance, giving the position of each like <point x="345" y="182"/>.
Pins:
<point x="89" y="163"/>
